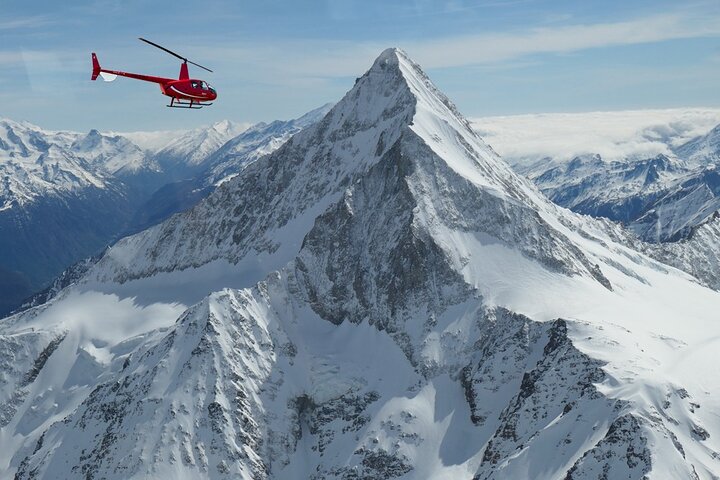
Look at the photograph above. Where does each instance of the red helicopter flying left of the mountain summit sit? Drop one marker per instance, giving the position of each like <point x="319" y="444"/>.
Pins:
<point x="185" y="92"/>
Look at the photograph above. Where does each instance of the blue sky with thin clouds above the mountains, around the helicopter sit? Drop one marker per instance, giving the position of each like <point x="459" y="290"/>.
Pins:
<point x="277" y="59"/>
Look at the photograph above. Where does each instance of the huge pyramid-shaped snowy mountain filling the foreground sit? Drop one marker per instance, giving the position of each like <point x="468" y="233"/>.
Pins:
<point x="408" y="307"/>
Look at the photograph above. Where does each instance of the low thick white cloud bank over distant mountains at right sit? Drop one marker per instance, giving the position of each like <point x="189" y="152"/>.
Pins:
<point x="614" y="135"/>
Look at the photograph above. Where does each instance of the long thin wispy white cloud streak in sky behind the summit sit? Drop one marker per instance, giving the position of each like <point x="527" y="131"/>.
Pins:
<point x="333" y="58"/>
